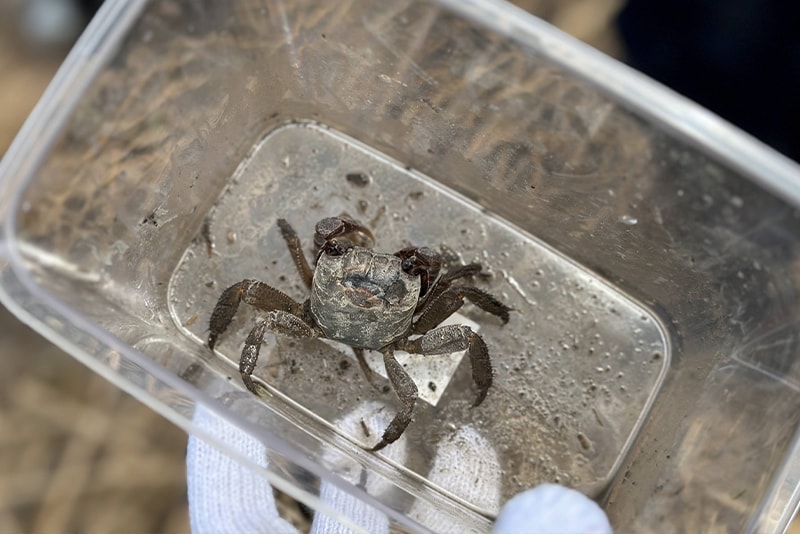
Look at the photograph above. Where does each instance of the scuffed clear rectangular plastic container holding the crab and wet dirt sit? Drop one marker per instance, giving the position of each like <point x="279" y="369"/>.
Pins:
<point x="651" y="252"/>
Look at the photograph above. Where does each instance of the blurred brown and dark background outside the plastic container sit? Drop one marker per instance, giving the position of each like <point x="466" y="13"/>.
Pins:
<point x="78" y="455"/>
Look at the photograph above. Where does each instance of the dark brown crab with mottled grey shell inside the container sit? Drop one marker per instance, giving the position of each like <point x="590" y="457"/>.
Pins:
<point x="369" y="301"/>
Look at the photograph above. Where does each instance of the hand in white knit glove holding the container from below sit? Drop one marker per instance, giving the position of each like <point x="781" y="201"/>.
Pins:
<point x="225" y="497"/>
